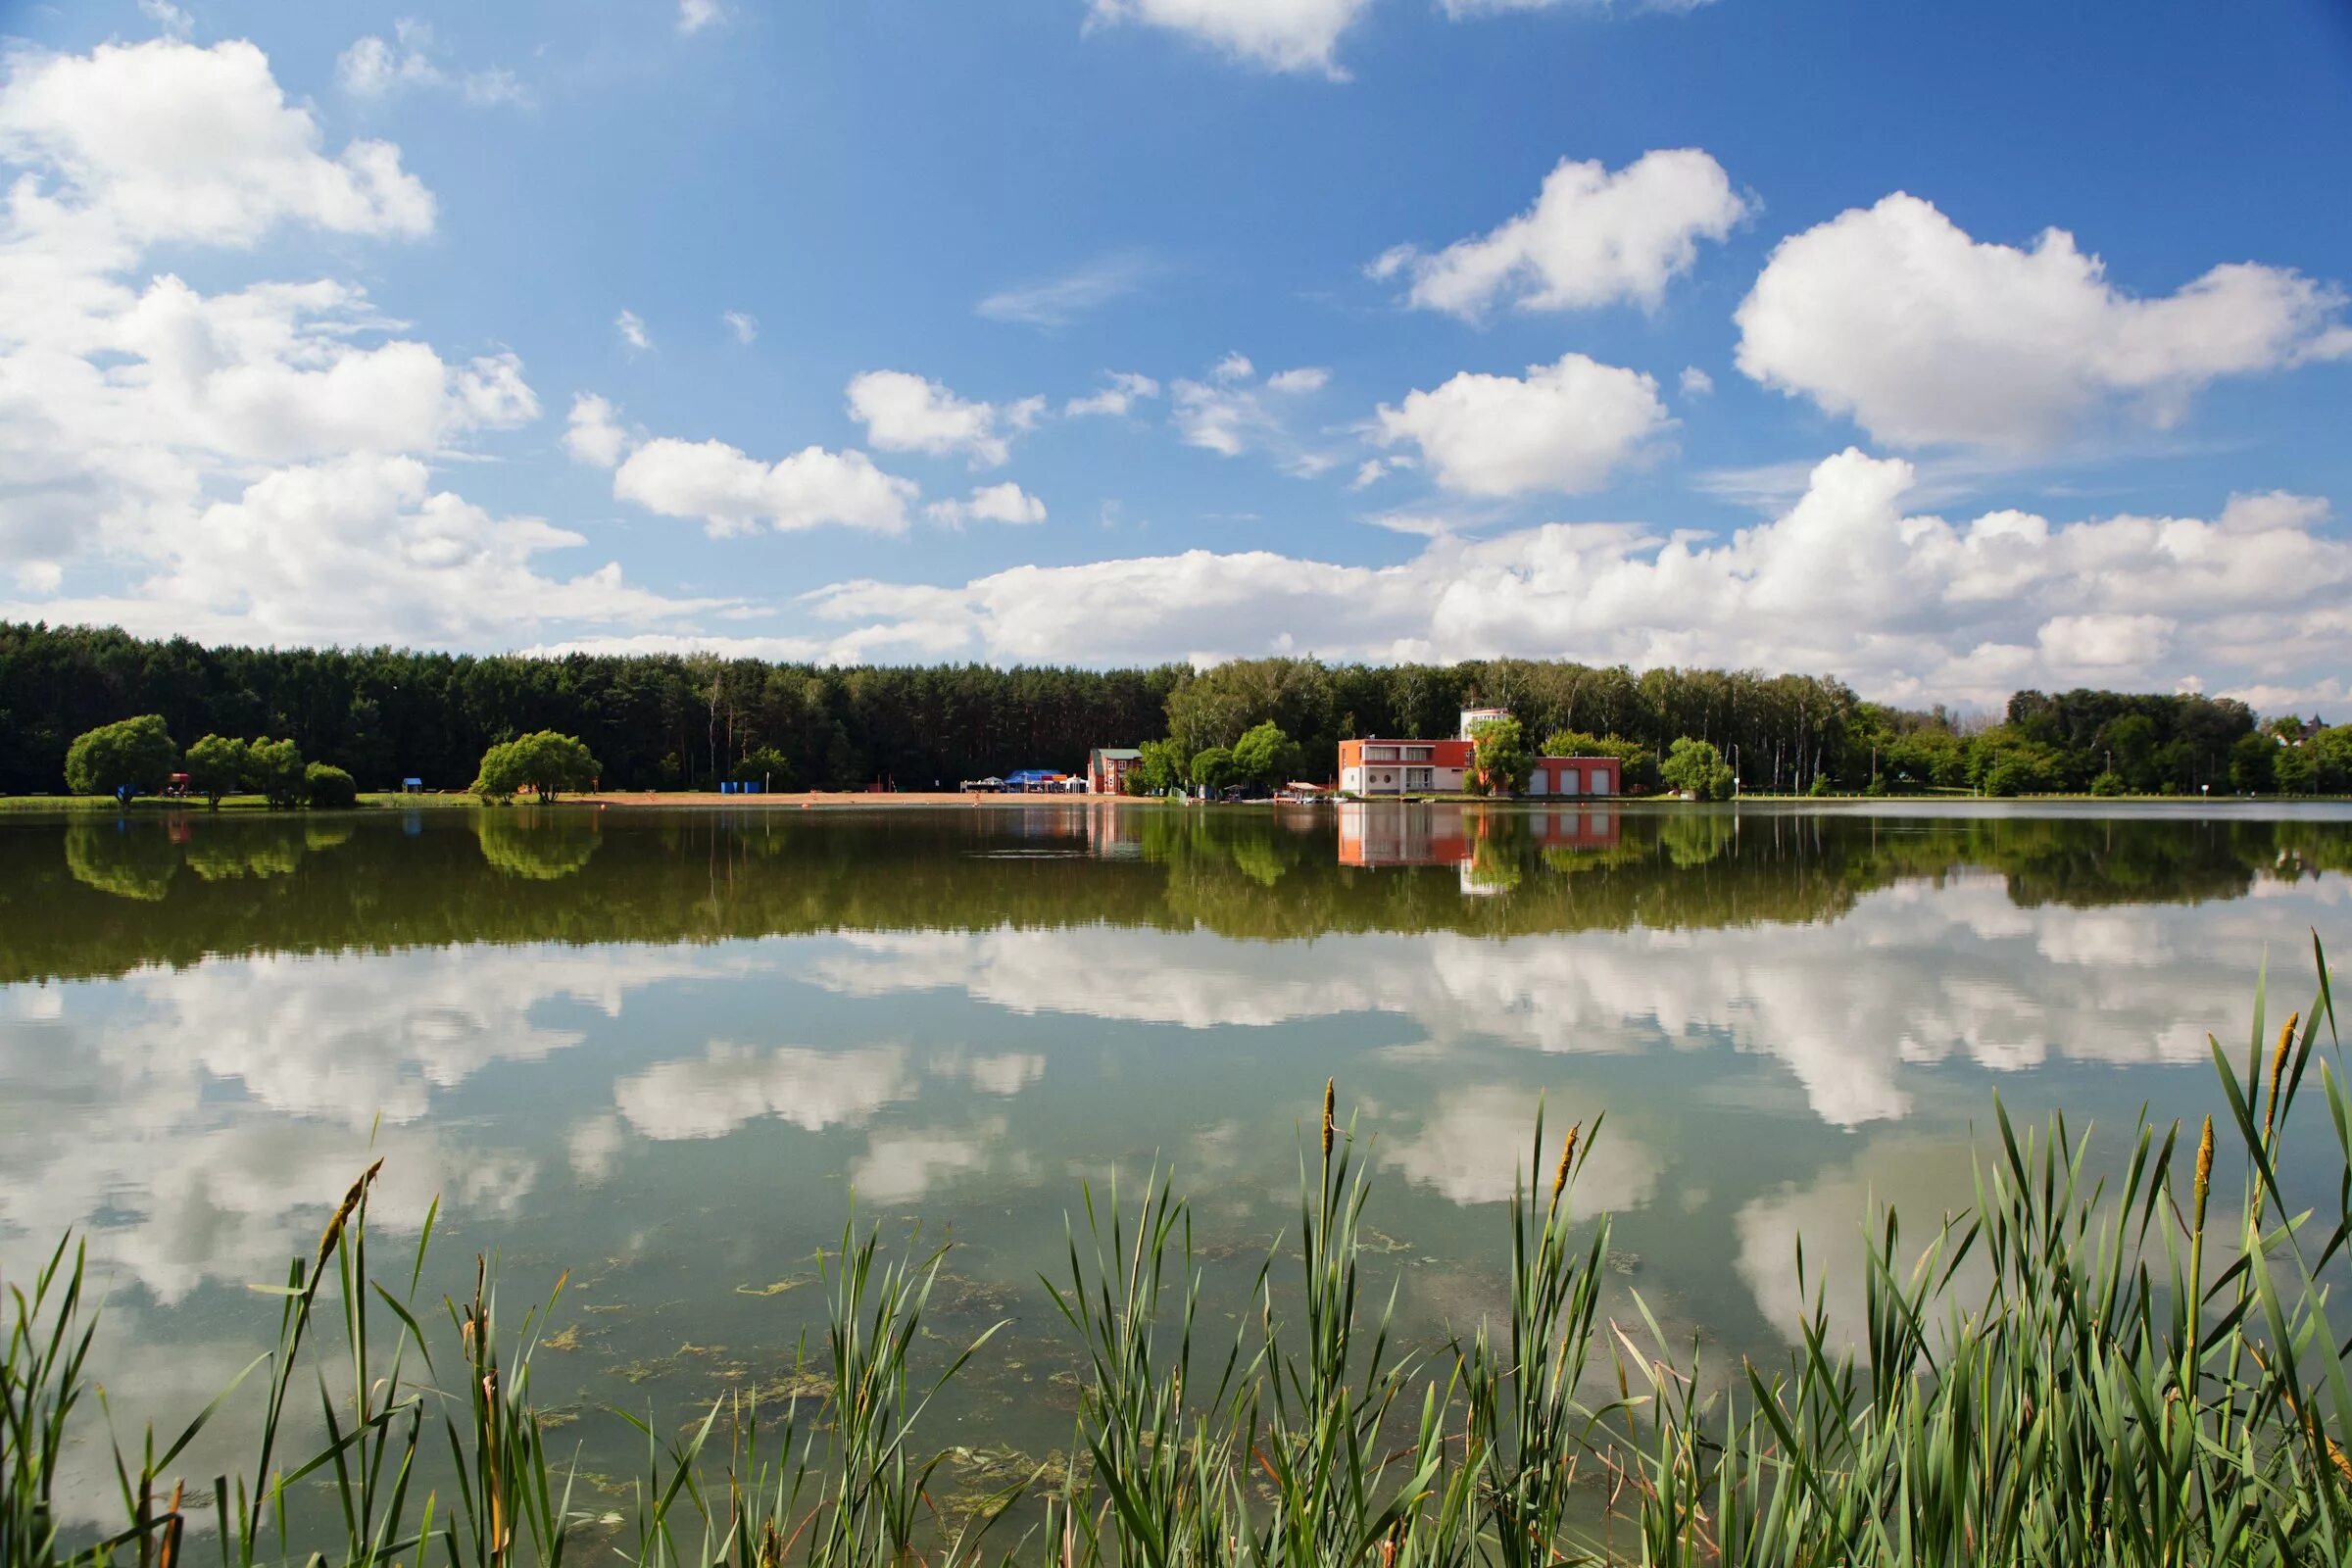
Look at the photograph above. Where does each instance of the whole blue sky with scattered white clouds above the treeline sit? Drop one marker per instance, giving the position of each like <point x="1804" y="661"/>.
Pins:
<point x="1130" y="330"/>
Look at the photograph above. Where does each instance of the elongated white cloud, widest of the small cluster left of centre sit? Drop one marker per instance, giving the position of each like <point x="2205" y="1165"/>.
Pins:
<point x="735" y="495"/>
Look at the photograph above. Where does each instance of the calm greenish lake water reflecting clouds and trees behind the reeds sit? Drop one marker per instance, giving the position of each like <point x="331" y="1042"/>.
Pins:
<point x="662" y="1050"/>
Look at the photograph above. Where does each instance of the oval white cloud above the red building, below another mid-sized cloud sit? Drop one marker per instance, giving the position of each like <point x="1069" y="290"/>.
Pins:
<point x="1563" y="429"/>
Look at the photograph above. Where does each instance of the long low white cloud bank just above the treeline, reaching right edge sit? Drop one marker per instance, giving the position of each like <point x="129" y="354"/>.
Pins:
<point x="1845" y="579"/>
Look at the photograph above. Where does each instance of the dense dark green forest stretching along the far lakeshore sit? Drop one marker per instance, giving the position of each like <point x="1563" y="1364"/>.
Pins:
<point x="669" y="721"/>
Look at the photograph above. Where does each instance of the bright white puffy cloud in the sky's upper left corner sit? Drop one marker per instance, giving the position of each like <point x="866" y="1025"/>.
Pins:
<point x="171" y="142"/>
